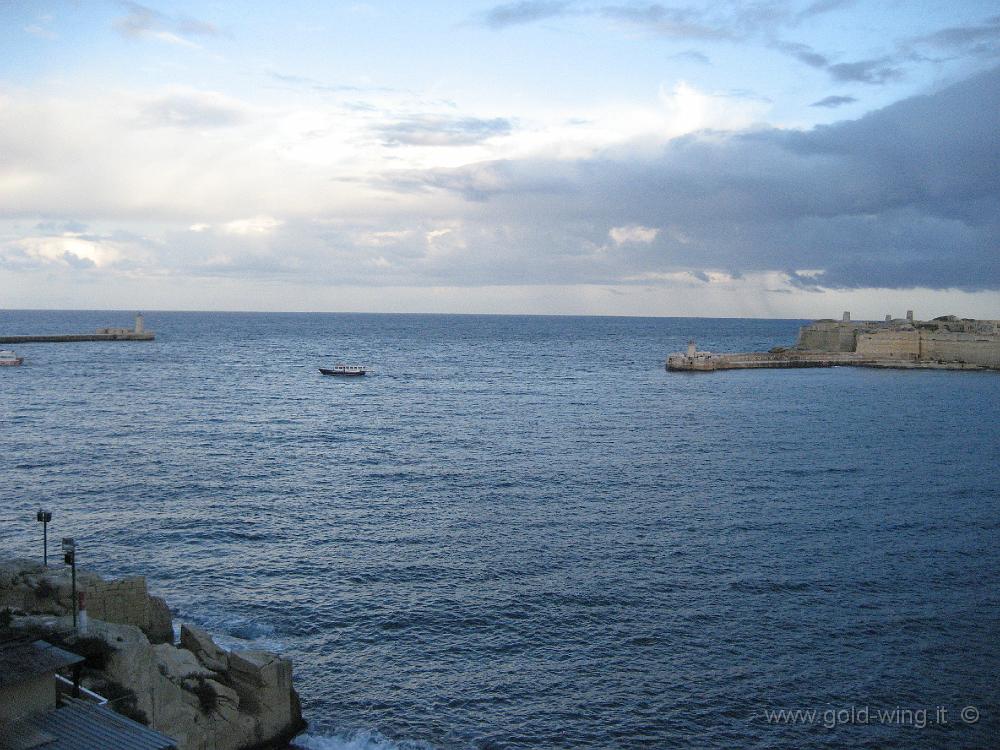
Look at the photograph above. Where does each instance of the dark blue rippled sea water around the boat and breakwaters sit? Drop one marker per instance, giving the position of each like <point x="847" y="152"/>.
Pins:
<point x="522" y="532"/>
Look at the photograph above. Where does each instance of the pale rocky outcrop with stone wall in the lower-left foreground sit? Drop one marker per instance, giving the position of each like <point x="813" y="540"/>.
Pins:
<point x="203" y="696"/>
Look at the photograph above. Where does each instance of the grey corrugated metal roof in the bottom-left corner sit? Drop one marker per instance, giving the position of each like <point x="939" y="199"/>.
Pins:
<point x="84" y="726"/>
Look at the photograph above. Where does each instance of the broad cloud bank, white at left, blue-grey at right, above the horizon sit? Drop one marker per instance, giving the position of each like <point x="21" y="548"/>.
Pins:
<point x="906" y="196"/>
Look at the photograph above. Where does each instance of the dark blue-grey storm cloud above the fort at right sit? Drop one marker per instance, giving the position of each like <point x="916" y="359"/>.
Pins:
<point x="905" y="196"/>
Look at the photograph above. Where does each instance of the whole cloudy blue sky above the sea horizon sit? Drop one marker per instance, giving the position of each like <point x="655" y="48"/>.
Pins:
<point x="777" y="158"/>
